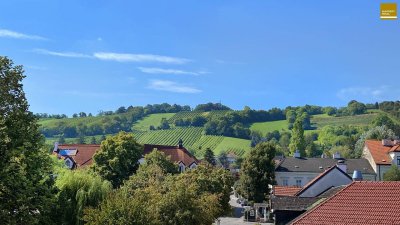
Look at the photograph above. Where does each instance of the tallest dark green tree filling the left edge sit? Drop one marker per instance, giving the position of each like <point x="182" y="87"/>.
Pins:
<point x="25" y="185"/>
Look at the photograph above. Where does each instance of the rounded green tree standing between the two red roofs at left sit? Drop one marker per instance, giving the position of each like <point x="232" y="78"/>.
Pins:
<point x="117" y="158"/>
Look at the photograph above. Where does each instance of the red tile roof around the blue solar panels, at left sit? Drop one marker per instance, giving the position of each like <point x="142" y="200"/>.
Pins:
<point x="84" y="154"/>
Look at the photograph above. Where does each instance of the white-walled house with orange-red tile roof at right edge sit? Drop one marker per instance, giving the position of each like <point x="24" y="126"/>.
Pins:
<point x="382" y="155"/>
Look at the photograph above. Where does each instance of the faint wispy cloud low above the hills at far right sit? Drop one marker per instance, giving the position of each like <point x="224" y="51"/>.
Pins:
<point x="369" y="93"/>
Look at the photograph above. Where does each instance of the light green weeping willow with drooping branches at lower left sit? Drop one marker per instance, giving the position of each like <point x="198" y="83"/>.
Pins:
<point x="77" y="190"/>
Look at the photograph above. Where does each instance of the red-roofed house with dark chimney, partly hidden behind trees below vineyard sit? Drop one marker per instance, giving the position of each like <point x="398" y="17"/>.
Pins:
<point x="178" y="154"/>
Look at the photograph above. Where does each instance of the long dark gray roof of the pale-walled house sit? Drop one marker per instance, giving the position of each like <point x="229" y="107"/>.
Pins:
<point x="319" y="165"/>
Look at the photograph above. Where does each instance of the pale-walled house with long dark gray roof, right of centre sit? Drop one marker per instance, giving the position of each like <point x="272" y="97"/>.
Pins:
<point x="298" y="171"/>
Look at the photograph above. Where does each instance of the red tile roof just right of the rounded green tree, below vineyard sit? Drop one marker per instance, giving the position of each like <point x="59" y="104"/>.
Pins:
<point x="177" y="154"/>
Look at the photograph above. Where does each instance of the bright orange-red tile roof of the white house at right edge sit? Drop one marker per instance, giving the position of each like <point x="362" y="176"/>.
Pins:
<point x="379" y="152"/>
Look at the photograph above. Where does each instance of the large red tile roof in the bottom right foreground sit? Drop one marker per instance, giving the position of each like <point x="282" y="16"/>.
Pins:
<point x="361" y="202"/>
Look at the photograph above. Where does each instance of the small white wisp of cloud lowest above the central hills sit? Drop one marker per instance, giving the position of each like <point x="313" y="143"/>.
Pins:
<point x="171" y="86"/>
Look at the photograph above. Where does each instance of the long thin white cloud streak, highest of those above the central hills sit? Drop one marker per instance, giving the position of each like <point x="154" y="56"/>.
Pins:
<point x="122" y="57"/>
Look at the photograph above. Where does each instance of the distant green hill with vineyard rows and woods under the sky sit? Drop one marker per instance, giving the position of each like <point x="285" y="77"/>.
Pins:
<point x="220" y="130"/>
